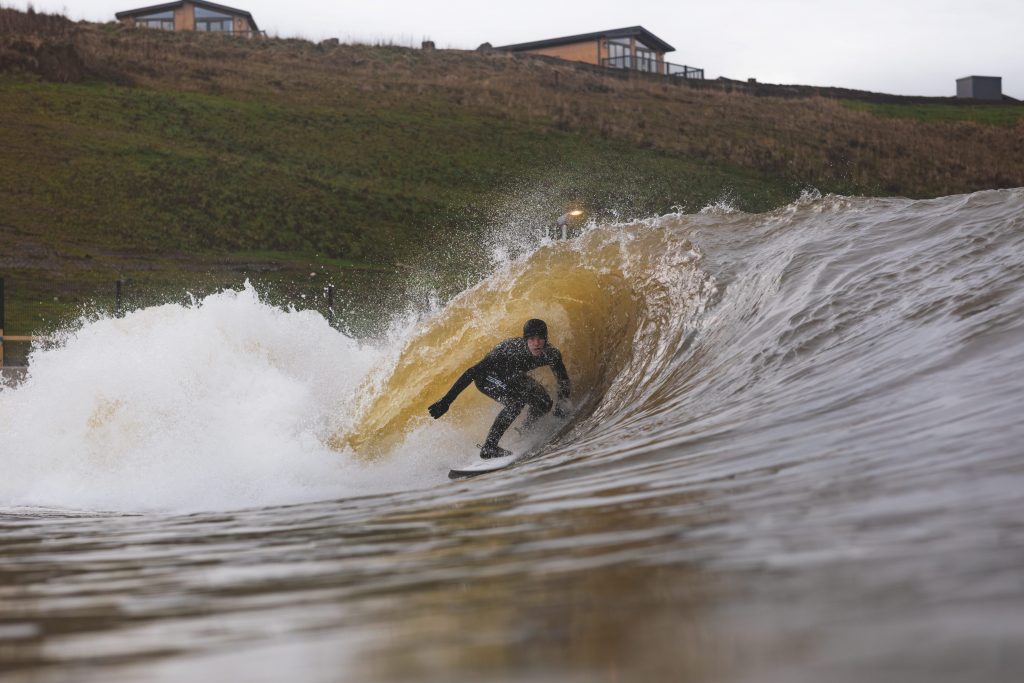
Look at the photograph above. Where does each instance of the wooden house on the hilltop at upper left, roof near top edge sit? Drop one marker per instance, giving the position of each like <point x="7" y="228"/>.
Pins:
<point x="192" y="16"/>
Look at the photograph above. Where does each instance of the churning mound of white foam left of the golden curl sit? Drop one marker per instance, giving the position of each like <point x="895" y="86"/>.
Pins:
<point x="225" y="404"/>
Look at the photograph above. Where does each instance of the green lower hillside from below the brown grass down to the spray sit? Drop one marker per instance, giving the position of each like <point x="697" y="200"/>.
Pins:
<point x="185" y="193"/>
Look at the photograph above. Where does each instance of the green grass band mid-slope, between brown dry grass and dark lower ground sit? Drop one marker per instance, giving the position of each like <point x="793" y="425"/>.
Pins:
<point x="154" y="170"/>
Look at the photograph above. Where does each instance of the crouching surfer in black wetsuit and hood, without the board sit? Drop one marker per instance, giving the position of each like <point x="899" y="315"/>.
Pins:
<point x="502" y="376"/>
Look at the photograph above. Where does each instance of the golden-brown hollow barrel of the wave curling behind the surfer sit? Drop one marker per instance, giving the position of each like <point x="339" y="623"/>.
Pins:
<point x="582" y="289"/>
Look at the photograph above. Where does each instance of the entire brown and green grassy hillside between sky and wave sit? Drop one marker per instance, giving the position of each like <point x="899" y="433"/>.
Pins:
<point x="180" y="158"/>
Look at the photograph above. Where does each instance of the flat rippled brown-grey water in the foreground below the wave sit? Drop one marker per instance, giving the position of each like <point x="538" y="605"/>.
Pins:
<point x="627" y="584"/>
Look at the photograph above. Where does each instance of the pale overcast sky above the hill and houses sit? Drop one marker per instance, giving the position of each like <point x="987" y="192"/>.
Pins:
<point x="911" y="48"/>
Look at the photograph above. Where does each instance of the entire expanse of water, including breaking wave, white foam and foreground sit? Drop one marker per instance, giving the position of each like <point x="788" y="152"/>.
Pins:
<point x="797" y="456"/>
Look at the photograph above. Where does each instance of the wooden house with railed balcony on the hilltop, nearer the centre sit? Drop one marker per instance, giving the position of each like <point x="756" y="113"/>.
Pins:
<point x="631" y="49"/>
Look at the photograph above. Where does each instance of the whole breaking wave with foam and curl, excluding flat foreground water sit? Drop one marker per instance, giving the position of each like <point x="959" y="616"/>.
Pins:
<point x="857" y="334"/>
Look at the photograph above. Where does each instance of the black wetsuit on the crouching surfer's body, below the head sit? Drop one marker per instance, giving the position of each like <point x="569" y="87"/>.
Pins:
<point x="502" y="376"/>
